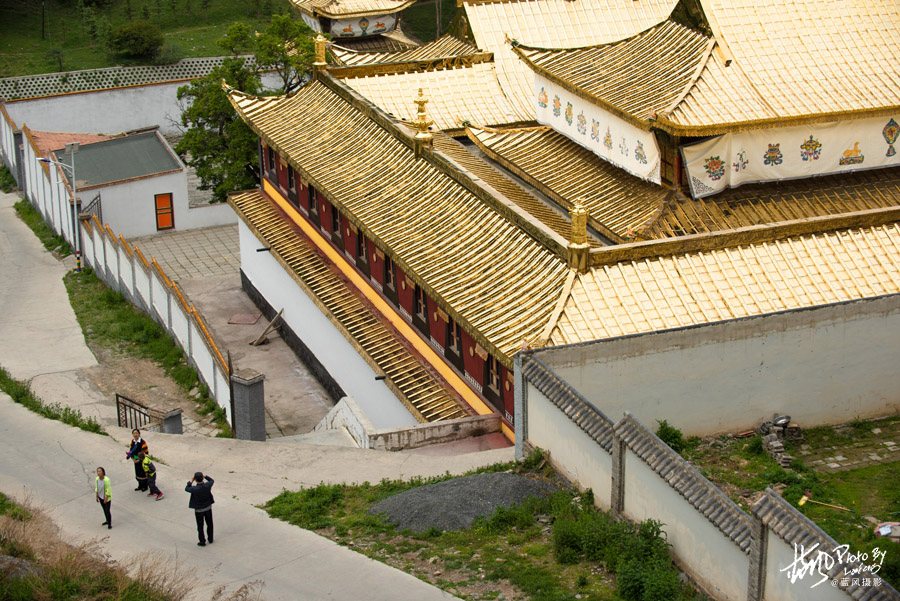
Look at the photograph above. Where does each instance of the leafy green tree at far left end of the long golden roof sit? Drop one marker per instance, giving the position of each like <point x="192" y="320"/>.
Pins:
<point x="217" y="143"/>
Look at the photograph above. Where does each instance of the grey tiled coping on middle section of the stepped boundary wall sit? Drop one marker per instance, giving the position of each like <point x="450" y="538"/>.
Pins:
<point x="704" y="496"/>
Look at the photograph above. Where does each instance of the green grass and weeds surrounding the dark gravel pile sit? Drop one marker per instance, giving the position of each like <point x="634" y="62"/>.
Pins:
<point x="546" y="549"/>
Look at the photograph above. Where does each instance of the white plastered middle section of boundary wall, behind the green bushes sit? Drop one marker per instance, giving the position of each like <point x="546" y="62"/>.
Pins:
<point x="714" y="560"/>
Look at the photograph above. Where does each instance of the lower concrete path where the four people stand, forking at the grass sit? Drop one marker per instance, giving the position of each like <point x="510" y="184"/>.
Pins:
<point x="53" y="465"/>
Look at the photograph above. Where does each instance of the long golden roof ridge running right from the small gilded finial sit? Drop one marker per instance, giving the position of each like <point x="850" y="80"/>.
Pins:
<point x="745" y="236"/>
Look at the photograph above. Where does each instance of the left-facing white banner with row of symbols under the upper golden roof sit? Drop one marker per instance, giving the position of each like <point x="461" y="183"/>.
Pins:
<point x="611" y="138"/>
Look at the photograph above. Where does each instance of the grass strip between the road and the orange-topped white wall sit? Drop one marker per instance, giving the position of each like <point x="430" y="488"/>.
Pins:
<point x="108" y="320"/>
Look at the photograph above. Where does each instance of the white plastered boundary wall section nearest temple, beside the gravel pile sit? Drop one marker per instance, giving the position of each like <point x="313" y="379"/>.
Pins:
<point x="580" y="458"/>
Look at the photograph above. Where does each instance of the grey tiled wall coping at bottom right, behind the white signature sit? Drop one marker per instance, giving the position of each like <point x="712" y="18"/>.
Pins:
<point x="795" y="529"/>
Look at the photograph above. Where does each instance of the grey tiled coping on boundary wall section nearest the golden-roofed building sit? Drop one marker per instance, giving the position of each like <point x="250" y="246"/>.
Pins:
<point x="582" y="412"/>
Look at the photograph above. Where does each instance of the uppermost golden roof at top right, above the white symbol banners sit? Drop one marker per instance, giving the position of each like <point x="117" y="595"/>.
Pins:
<point x="772" y="65"/>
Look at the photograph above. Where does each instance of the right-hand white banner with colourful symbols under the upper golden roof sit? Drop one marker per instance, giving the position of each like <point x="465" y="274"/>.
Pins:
<point x="790" y="153"/>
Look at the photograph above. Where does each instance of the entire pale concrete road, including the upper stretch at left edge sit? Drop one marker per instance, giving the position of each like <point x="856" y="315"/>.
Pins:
<point x="53" y="464"/>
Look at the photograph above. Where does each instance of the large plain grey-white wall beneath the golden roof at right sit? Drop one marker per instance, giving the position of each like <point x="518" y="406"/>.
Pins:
<point x="823" y="365"/>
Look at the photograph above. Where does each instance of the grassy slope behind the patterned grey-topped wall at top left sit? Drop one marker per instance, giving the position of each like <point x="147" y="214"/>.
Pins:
<point x="189" y="29"/>
